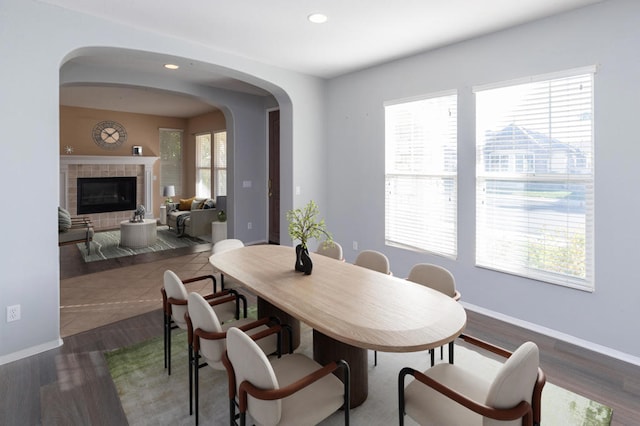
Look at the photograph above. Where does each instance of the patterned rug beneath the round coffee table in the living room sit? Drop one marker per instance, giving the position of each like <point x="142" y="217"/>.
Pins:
<point x="106" y="244"/>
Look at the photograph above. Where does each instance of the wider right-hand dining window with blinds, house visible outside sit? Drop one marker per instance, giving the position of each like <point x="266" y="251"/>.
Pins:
<point x="534" y="178"/>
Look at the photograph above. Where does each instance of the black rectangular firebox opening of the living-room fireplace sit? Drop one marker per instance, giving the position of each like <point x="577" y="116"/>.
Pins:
<point x="106" y="194"/>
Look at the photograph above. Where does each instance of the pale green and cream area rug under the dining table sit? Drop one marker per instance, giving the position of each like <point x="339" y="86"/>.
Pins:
<point x="150" y="397"/>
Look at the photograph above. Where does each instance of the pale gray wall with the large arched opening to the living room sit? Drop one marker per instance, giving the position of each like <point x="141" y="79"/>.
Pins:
<point x="42" y="38"/>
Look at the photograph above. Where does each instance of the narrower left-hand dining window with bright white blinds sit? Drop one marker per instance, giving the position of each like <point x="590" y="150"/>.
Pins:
<point x="421" y="174"/>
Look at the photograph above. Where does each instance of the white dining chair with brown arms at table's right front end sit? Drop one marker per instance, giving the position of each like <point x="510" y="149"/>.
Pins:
<point x="448" y="394"/>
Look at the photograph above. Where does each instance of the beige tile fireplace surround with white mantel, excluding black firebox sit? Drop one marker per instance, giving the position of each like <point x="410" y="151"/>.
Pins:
<point x="74" y="166"/>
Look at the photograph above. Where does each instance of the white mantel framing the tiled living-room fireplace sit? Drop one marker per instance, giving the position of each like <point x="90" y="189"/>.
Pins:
<point x="147" y="162"/>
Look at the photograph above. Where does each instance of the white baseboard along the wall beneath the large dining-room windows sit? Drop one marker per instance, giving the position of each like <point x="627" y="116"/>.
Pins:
<point x="604" y="350"/>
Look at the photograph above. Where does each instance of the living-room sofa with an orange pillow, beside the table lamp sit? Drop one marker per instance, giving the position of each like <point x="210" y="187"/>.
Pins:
<point x="193" y="216"/>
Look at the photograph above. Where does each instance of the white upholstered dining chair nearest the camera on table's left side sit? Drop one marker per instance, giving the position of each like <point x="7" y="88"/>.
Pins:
<point x="291" y="390"/>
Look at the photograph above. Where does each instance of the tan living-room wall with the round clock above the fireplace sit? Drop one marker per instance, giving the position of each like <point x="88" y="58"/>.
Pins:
<point x="76" y="128"/>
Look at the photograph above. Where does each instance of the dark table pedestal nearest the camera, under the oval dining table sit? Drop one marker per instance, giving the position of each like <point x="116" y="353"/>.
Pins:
<point x="327" y="349"/>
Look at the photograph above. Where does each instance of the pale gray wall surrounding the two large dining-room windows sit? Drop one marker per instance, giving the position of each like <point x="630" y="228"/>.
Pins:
<point x="607" y="35"/>
